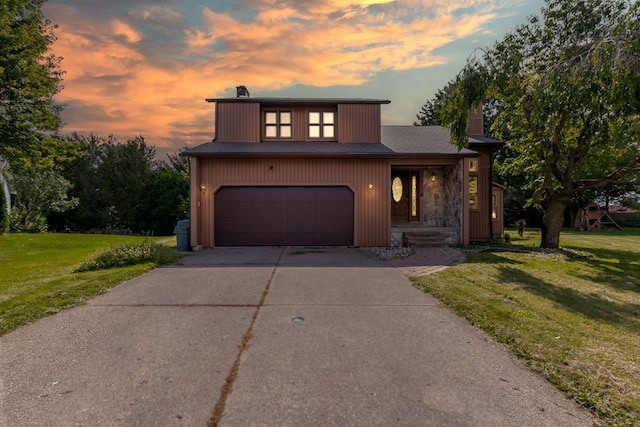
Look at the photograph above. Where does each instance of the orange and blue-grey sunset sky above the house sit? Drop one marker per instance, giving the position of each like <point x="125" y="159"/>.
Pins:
<point x="140" y="67"/>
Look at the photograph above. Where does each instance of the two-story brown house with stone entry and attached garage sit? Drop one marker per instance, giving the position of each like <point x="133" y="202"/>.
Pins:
<point x="323" y="172"/>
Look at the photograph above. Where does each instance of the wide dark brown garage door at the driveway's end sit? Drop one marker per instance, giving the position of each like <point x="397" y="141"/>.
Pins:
<point x="283" y="216"/>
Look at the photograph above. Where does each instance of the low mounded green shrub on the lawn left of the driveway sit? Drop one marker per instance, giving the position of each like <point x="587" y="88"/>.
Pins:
<point x="130" y="254"/>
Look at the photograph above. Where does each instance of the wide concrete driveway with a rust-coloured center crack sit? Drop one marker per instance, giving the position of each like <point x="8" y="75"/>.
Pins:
<point x="269" y="337"/>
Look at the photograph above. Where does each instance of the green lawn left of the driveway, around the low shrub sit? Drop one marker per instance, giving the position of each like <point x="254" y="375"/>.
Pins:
<point x="39" y="276"/>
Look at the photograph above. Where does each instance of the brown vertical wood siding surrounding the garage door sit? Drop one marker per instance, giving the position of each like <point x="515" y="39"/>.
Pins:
<point x="371" y="207"/>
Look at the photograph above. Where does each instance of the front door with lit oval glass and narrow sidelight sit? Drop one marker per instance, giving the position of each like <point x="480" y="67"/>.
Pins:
<point x="405" y="199"/>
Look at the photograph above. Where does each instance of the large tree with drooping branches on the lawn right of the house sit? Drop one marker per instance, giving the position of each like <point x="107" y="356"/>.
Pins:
<point x="568" y="86"/>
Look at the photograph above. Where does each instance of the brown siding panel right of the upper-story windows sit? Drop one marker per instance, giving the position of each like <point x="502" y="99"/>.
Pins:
<point x="359" y="123"/>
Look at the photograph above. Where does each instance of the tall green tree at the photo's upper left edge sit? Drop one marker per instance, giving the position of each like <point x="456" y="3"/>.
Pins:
<point x="30" y="76"/>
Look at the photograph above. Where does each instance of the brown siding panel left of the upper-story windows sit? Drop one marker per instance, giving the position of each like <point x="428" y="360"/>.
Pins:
<point x="238" y="122"/>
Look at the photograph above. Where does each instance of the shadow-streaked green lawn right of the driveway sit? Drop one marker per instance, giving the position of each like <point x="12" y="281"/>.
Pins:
<point x="574" y="315"/>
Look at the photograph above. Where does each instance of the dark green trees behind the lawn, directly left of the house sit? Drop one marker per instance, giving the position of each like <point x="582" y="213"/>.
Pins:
<point x="122" y="188"/>
